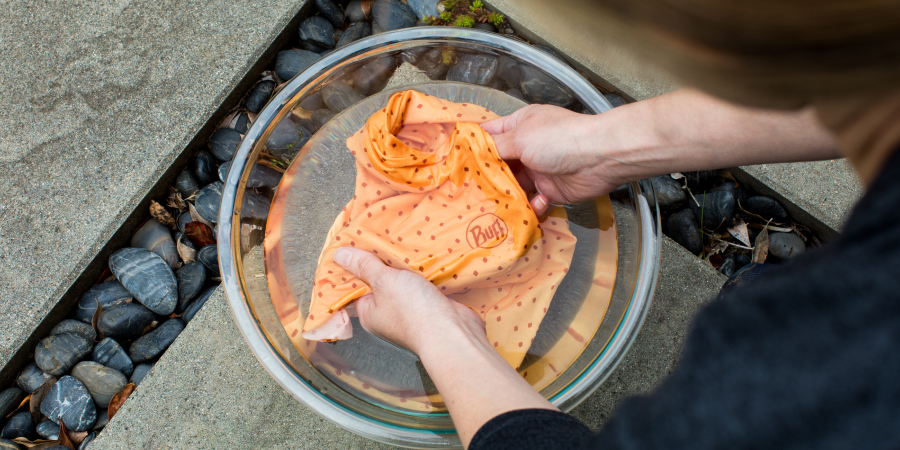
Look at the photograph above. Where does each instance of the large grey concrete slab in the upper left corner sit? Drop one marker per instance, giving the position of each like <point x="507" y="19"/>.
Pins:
<point x="101" y="98"/>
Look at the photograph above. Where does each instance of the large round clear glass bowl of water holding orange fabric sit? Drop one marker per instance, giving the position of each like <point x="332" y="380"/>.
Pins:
<point x="596" y="321"/>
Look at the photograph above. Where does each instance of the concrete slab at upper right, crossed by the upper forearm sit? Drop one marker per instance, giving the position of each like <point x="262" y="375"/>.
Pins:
<point x="820" y="194"/>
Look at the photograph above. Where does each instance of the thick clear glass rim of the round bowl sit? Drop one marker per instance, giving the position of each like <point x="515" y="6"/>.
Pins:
<point x="310" y="397"/>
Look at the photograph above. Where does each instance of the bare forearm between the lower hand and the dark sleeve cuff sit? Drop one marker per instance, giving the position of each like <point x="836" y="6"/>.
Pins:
<point x="476" y="383"/>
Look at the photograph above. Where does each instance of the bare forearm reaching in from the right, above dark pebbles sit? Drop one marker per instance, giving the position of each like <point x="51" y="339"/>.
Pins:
<point x="687" y="130"/>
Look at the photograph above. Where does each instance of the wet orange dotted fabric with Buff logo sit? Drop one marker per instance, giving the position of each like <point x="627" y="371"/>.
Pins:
<point x="433" y="196"/>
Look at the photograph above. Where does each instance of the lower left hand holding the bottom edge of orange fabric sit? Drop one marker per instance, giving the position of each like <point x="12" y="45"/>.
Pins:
<point x="405" y="308"/>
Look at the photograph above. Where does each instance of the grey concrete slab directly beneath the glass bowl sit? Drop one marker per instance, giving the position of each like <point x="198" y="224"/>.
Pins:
<point x="209" y="392"/>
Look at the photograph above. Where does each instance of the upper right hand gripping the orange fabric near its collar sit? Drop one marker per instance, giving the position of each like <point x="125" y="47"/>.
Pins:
<point x="561" y="160"/>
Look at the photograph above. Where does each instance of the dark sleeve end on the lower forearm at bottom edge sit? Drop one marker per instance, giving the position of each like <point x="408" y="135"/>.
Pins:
<point x="527" y="429"/>
